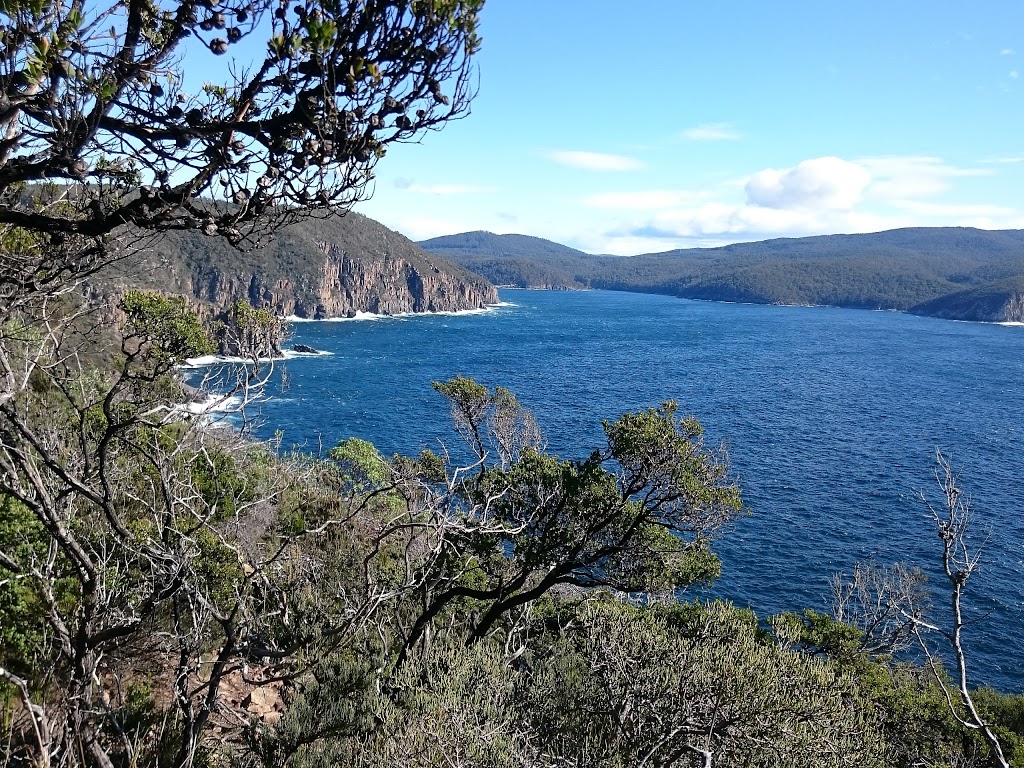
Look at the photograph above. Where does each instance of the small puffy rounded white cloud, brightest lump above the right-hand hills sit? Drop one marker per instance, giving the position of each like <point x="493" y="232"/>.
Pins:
<point x="818" y="184"/>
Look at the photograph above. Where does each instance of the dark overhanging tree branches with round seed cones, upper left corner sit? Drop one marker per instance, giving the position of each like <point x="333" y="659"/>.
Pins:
<point x="98" y="135"/>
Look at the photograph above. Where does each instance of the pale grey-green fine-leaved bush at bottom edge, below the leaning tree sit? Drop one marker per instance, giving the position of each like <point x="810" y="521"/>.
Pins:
<point x="691" y="686"/>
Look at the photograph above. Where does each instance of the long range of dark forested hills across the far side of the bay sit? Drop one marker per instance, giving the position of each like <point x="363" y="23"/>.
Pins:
<point x="955" y="273"/>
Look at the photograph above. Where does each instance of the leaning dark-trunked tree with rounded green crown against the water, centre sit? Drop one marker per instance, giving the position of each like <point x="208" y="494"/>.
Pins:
<point x="516" y="524"/>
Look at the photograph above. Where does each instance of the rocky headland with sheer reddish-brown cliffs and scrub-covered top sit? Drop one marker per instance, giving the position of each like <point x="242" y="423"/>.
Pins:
<point x="318" y="269"/>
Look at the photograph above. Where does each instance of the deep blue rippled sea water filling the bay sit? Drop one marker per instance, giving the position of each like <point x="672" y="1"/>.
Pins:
<point x="831" y="418"/>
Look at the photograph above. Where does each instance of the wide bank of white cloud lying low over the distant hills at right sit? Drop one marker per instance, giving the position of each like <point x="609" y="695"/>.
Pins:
<point x="820" y="196"/>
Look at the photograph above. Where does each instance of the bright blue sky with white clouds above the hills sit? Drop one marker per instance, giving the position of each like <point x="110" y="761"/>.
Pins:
<point x="638" y="127"/>
